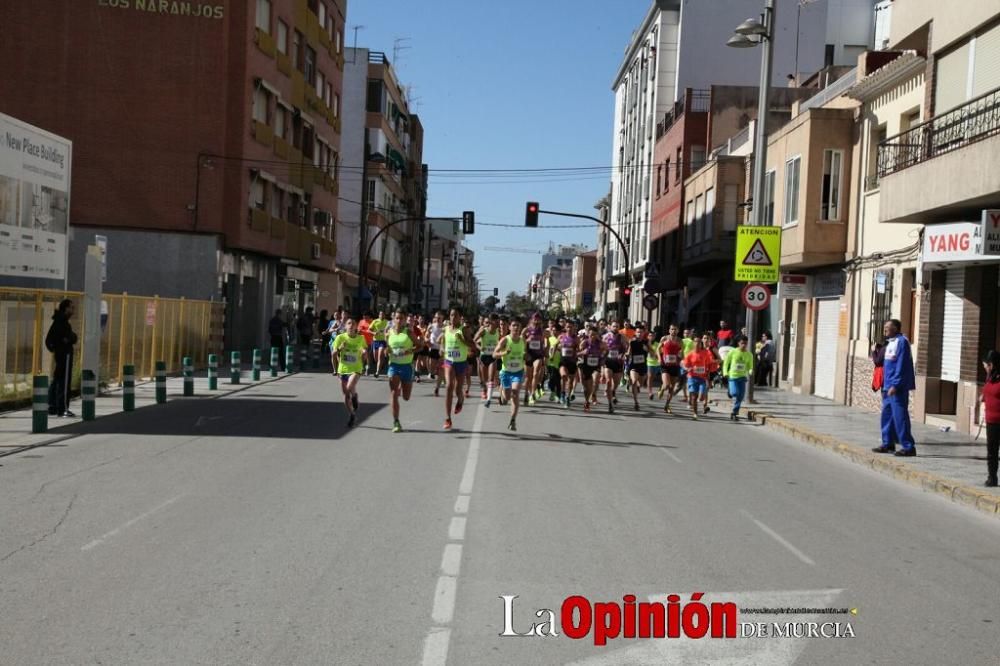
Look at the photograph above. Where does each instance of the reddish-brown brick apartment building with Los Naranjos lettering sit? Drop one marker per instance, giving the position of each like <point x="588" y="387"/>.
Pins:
<point x="205" y="135"/>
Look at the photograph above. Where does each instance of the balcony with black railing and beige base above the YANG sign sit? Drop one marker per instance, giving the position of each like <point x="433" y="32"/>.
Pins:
<point x="944" y="168"/>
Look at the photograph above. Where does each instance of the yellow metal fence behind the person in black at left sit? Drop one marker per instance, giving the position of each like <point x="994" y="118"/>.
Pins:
<point x="136" y="330"/>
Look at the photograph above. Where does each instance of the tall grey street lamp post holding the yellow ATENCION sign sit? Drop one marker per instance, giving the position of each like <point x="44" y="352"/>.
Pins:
<point x="749" y="34"/>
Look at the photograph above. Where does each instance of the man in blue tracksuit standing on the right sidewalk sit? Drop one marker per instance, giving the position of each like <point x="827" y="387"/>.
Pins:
<point x="898" y="383"/>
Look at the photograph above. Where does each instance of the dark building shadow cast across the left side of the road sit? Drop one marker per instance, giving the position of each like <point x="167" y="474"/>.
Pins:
<point x="233" y="417"/>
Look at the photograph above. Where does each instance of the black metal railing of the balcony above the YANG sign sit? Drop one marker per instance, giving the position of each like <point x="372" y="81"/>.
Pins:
<point x="971" y="122"/>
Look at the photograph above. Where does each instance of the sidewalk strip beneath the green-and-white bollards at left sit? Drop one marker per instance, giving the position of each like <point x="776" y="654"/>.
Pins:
<point x="15" y="426"/>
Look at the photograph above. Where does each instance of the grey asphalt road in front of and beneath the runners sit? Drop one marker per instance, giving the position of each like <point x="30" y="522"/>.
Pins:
<point x="255" y="529"/>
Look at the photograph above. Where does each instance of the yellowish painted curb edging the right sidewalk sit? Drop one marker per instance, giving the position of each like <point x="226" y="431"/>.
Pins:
<point x="960" y="494"/>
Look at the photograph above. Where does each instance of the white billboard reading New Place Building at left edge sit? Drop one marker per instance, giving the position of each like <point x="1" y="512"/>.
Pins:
<point x="35" y="168"/>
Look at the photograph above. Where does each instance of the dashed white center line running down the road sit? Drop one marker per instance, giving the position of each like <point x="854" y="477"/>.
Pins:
<point x="439" y="637"/>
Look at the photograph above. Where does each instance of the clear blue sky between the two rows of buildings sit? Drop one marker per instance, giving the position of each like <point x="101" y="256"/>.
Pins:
<point x="513" y="85"/>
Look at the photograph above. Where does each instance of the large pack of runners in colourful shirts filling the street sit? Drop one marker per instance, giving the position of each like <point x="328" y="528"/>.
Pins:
<point x="525" y="359"/>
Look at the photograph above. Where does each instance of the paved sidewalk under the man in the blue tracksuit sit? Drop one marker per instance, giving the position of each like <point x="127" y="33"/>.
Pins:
<point x="948" y="463"/>
